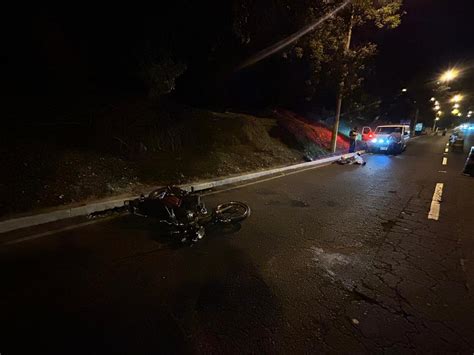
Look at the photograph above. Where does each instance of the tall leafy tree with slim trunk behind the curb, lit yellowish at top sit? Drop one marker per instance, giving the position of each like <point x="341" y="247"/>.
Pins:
<point x="334" y="61"/>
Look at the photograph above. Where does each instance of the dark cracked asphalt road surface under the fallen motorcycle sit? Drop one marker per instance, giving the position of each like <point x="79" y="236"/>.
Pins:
<point x="335" y="259"/>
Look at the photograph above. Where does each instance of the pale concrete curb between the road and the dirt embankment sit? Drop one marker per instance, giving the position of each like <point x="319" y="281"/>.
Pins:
<point x="48" y="217"/>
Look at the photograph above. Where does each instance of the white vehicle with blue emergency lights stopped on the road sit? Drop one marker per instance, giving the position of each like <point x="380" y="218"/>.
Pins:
<point x="389" y="139"/>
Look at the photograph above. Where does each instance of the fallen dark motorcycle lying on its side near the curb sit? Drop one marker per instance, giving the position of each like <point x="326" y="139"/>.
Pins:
<point x="185" y="213"/>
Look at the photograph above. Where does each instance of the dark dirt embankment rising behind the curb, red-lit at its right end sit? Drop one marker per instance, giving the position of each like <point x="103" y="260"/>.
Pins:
<point x="130" y="149"/>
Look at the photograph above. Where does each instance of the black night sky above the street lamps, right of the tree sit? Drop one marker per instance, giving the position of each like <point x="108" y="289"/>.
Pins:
<point x="434" y="35"/>
